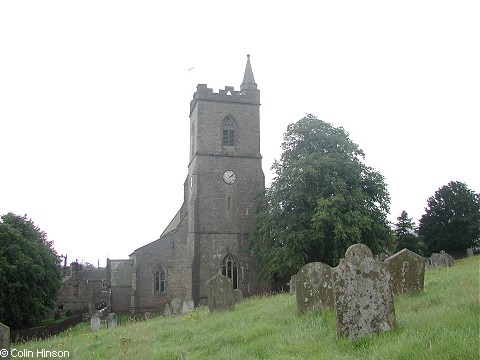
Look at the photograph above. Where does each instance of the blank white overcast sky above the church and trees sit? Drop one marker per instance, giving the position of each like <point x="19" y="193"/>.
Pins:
<point x="94" y="101"/>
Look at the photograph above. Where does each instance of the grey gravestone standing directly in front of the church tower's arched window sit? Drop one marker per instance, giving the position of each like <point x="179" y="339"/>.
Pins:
<point x="220" y="293"/>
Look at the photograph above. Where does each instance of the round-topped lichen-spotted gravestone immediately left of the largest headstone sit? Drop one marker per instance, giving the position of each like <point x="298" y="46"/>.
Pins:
<point x="313" y="287"/>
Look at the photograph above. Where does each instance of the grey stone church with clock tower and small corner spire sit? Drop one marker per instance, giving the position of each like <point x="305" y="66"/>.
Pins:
<point x="207" y="235"/>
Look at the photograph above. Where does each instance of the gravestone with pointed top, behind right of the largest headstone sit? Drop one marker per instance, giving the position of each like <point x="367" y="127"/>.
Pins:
<point x="407" y="271"/>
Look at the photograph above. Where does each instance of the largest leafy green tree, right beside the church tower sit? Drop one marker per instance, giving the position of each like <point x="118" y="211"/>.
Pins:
<point x="322" y="199"/>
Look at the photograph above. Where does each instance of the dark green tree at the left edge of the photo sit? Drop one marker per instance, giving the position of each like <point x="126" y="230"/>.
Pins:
<point x="29" y="272"/>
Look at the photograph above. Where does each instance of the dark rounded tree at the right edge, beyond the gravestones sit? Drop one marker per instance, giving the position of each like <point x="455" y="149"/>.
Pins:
<point x="452" y="219"/>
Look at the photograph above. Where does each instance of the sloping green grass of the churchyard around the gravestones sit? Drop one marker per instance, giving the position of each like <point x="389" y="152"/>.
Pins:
<point x="440" y="323"/>
